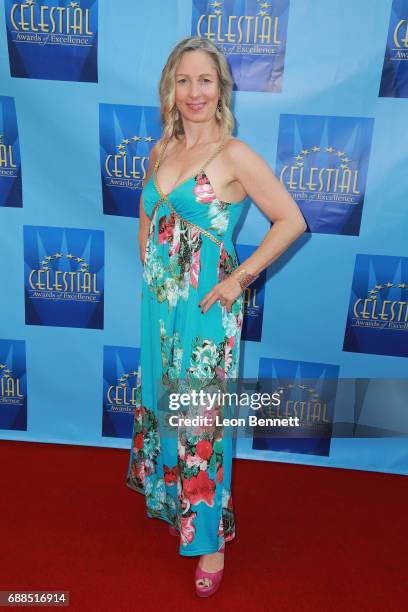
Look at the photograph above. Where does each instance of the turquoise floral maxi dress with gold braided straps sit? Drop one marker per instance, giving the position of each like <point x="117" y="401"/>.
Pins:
<point x="186" y="477"/>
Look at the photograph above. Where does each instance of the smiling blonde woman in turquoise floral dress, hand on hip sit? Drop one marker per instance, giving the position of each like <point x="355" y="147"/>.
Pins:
<point x="199" y="181"/>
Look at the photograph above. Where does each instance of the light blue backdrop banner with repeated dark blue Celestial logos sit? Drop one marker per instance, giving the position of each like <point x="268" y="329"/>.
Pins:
<point x="321" y="93"/>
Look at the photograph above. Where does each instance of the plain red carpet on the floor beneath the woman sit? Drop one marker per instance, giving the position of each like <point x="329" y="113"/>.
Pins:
<point x="308" y="538"/>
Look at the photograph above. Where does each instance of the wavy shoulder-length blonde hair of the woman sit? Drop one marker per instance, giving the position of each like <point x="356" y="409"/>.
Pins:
<point x="173" y="125"/>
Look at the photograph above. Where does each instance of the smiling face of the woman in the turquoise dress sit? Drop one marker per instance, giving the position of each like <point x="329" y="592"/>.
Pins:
<point x="197" y="86"/>
